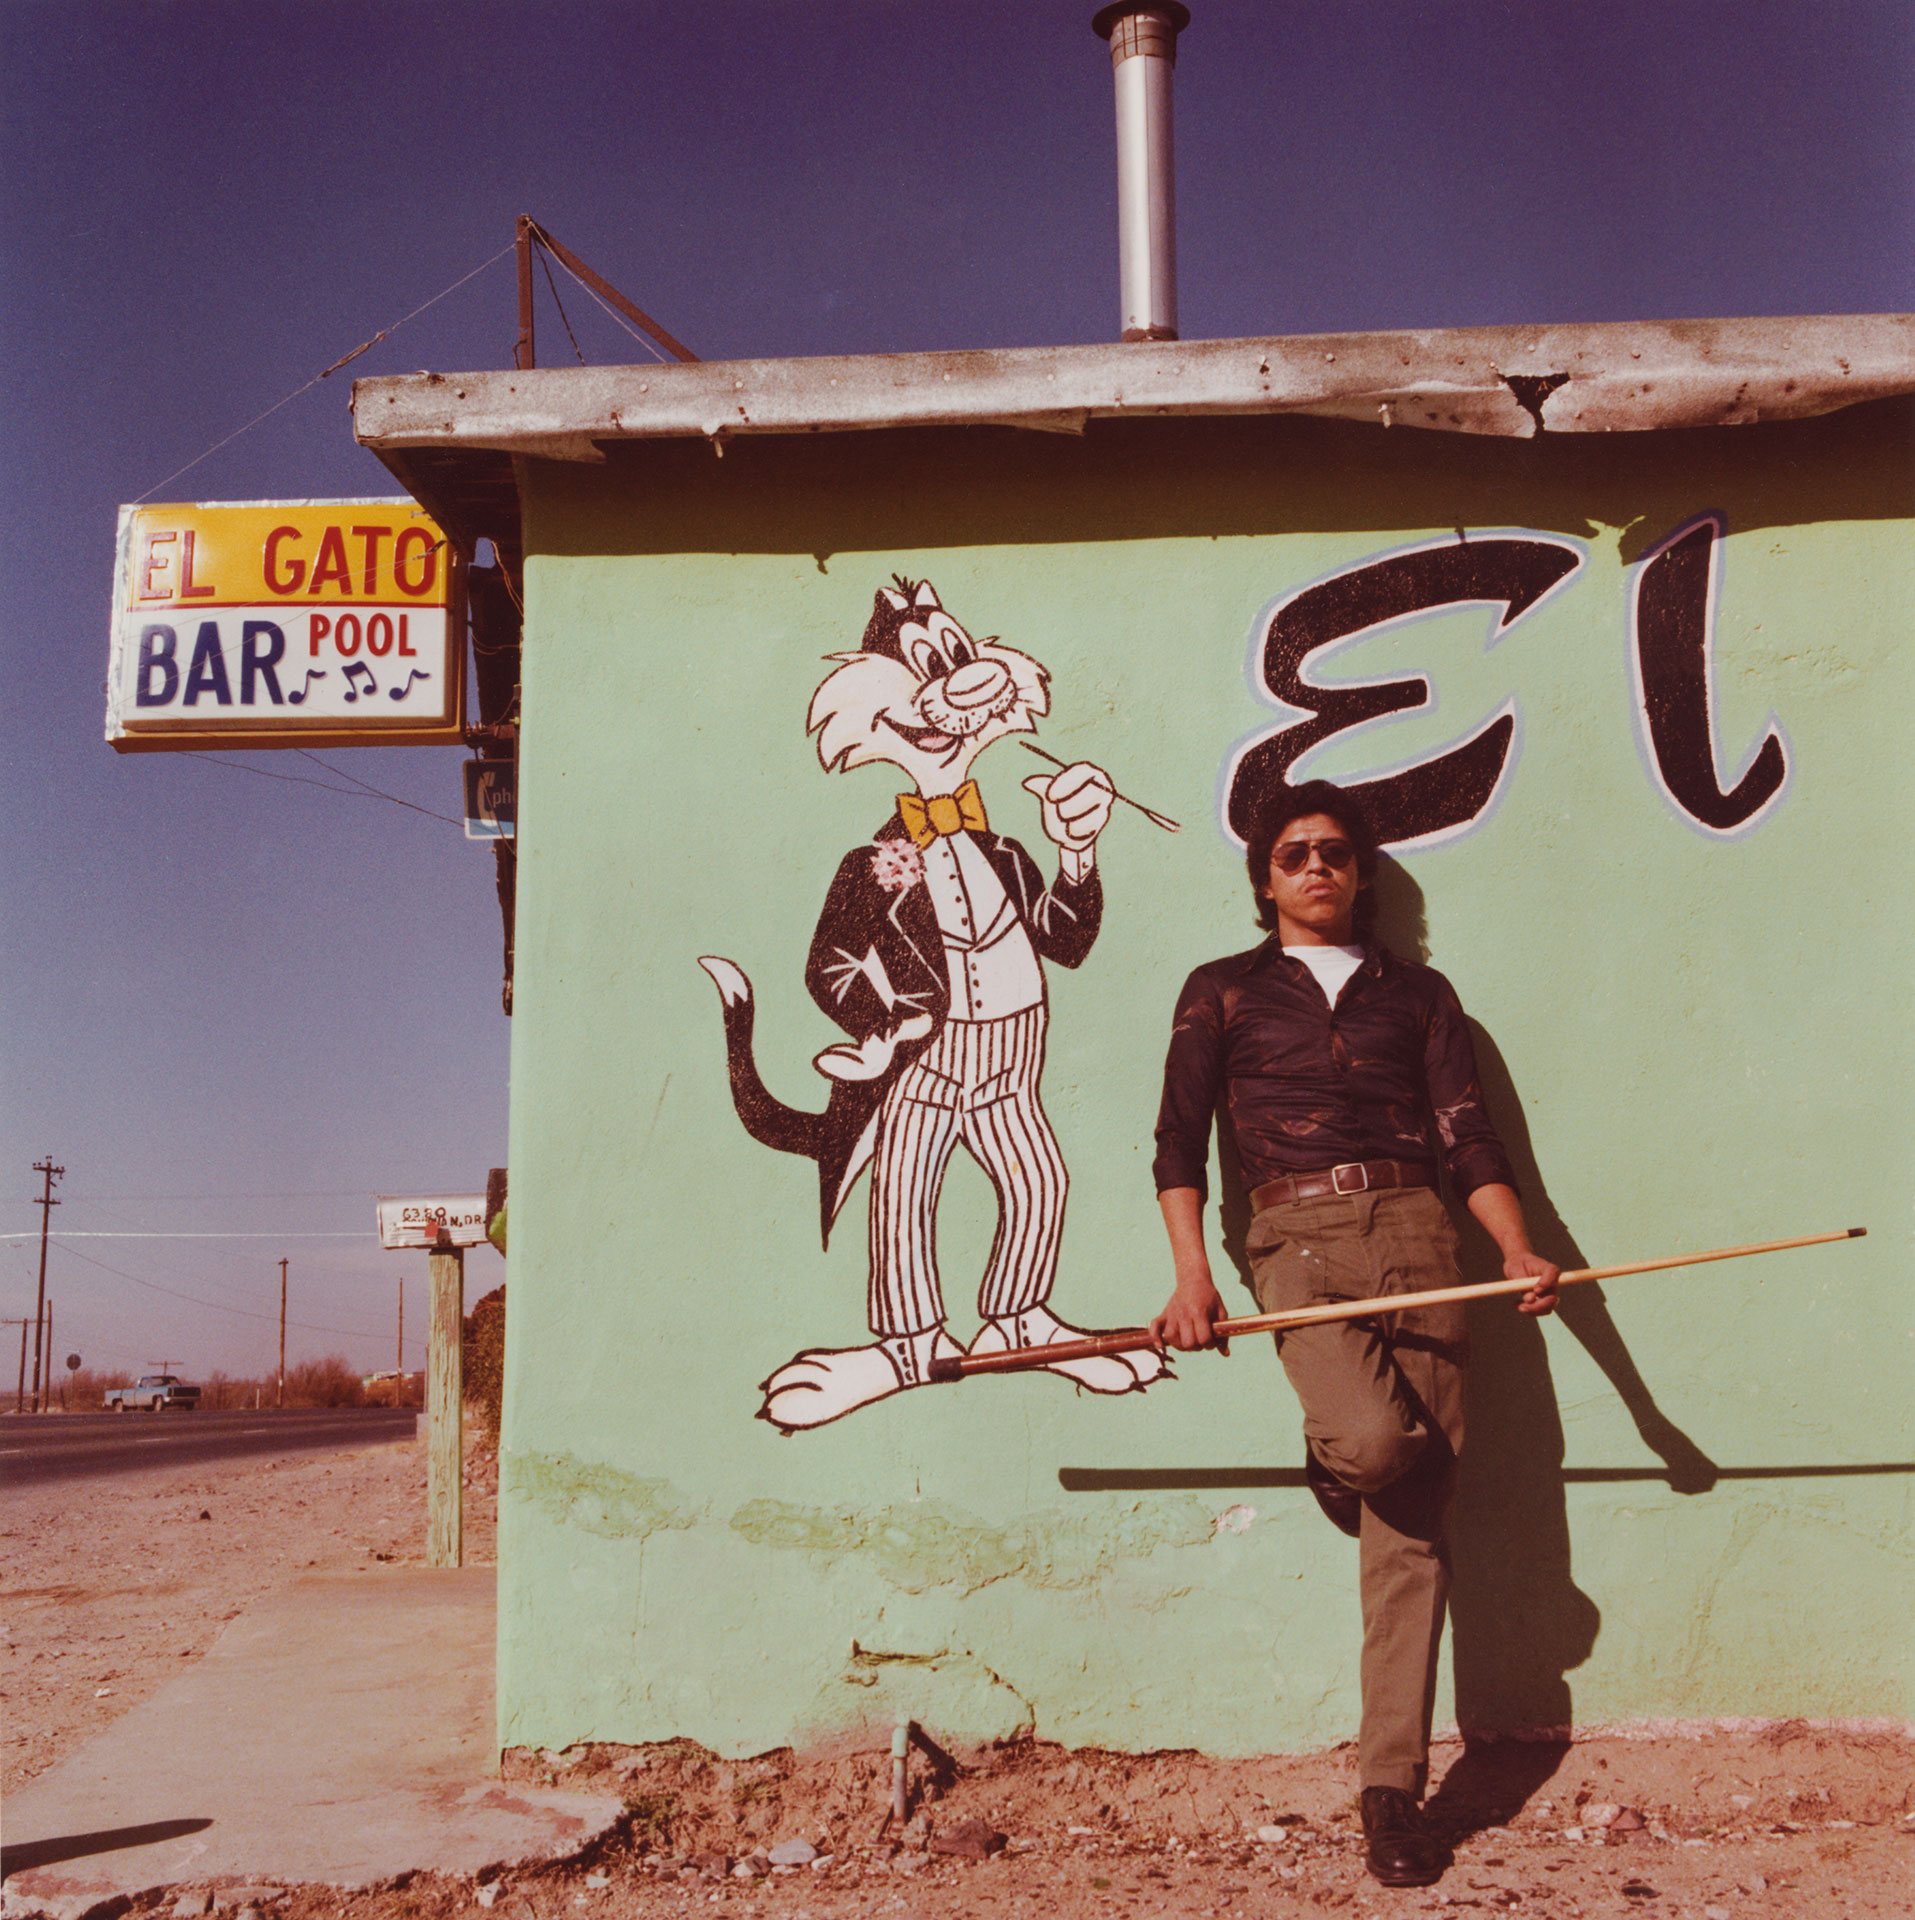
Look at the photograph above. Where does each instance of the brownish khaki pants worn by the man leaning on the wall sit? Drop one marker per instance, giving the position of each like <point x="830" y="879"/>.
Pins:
<point x="1384" y="1410"/>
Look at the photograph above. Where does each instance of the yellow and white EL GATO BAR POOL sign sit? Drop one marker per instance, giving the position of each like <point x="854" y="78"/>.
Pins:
<point x="316" y="623"/>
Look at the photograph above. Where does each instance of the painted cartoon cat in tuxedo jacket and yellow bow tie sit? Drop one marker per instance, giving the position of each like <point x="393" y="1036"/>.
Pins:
<point x="931" y="957"/>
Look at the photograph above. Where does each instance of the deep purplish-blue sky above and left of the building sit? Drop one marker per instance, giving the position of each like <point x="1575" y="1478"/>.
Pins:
<point x="241" y="1005"/>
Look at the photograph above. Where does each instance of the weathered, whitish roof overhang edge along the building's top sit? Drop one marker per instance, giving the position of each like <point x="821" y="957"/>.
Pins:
<point x="450" y="439"/>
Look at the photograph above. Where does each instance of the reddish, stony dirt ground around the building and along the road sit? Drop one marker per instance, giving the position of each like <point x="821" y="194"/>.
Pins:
<point x="114" y="1585"/>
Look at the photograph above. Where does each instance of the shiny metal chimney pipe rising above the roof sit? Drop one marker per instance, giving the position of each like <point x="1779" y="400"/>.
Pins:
<point x="1144" y="49"/>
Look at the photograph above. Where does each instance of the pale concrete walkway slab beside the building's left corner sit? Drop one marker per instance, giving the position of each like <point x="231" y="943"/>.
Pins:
<point x="343" y="1733"/>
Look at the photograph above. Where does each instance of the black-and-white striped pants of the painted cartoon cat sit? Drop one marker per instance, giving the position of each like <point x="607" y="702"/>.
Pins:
<point x="977" y="1082"/>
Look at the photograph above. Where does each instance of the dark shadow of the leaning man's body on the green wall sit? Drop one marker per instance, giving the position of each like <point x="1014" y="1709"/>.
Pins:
<point x="1518" y="1621"/>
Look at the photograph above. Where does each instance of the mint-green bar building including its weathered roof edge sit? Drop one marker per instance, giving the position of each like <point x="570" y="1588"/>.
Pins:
<point x="1614" y="619"/>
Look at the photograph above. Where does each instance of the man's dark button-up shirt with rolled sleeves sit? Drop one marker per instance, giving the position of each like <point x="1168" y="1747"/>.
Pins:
<point x="1307" y="1088"/>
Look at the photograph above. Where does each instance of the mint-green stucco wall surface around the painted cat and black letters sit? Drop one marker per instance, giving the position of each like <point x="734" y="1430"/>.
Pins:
<point x="1691" y="1042"/>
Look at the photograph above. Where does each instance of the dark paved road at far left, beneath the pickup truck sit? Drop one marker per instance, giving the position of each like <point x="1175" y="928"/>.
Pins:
<point x="72" y="1447"/>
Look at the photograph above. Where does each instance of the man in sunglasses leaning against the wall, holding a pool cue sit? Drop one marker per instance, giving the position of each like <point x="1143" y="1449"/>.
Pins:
<point x="1345" y="1076"/>
